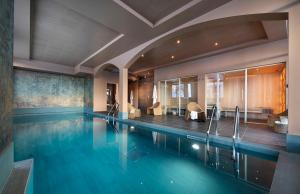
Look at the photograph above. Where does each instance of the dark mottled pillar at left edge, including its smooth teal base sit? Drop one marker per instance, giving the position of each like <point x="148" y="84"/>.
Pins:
<point x="6" y="90"/>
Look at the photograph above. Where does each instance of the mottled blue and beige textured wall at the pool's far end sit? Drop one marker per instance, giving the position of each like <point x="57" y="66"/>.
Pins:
<point x="47" y="90"/>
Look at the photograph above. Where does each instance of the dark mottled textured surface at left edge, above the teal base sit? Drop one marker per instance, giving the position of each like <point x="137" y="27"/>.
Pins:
<point x="6" y="60"/>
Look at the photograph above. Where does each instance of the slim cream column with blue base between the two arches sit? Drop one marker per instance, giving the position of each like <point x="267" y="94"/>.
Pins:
<point x="123" y="93"/>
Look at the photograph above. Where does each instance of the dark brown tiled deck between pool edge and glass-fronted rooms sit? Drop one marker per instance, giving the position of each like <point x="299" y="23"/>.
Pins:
<point x="254" y="133"/>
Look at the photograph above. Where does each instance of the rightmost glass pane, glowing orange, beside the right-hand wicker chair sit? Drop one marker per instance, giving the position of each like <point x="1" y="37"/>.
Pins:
<point x="266" y="92"/>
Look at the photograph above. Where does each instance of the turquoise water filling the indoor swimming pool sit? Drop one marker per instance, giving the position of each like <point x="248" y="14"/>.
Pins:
<point x="82" y="154"/>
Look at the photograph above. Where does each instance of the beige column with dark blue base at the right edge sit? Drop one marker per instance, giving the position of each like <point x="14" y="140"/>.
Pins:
<point x="293" y="137"/>
